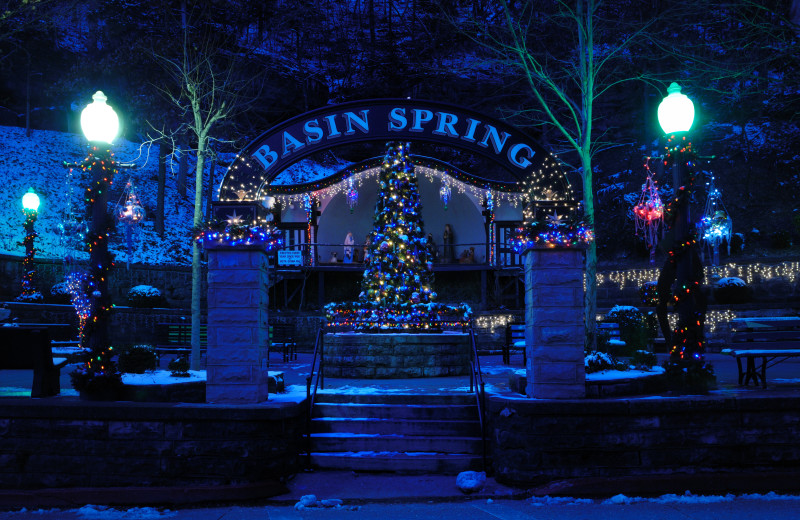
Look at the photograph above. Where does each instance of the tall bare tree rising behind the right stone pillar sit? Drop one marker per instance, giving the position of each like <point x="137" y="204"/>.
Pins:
<point x="563" y="78"/>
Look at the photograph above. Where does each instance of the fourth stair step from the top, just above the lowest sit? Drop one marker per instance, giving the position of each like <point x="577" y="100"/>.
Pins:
<point x="337" y="442"/>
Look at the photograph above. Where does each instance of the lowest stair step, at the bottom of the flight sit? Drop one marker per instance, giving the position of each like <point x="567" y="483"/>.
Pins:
<point x="399" y="462"/>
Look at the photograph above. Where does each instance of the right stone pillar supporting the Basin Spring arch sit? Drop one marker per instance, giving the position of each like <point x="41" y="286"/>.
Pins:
<point x="554" y="329"/>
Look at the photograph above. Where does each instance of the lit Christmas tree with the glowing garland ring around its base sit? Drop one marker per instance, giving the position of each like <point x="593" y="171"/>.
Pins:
<point x="396" y="288"/>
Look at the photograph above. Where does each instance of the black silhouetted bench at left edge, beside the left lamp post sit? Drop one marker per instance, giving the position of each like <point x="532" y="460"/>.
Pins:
<point x="28" y="347"/>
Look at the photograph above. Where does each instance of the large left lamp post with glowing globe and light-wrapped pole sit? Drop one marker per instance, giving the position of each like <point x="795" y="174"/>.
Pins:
<point x="100" y="125"/>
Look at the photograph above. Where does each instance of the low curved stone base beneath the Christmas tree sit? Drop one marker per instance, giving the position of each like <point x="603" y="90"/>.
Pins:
<point x="390" y="356"/>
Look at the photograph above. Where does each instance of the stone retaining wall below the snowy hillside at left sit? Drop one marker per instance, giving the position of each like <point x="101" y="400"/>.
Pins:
<point x="174" y="282"/>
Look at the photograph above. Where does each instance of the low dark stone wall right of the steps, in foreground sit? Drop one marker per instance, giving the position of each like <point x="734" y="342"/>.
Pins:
<point x="538" y="441"/>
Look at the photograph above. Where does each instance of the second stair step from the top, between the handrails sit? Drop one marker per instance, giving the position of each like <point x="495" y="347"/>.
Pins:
<point x="397" y="411"/>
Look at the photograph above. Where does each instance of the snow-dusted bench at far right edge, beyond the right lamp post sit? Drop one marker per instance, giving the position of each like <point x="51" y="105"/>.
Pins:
<point x="773" y="340"/>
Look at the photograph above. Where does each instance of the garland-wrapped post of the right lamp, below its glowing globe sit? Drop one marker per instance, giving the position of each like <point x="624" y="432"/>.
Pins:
<point x="683" y="266"/>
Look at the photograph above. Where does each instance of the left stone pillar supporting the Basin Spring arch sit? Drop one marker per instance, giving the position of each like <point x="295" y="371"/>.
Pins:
<point x="238" y="327"/>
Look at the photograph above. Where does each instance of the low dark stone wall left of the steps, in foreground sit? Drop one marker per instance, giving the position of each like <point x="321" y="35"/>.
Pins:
<point x="71" y="443"/>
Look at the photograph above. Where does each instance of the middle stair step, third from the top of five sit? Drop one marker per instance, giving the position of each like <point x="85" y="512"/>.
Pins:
<point x="362" y="425"/>
